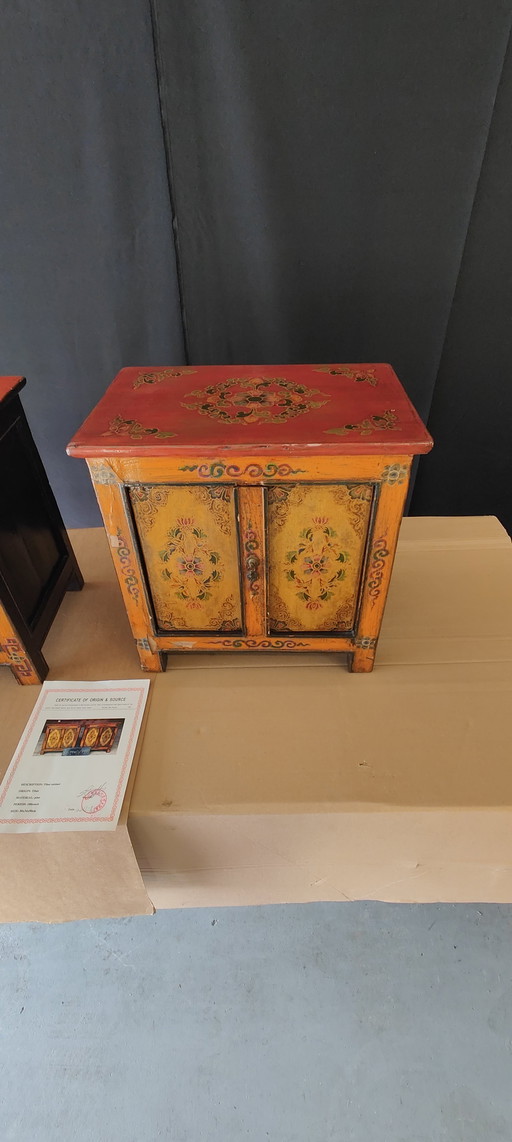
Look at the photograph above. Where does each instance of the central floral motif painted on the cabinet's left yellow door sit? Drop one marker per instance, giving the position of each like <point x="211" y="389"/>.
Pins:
<point x="193" y="569"/>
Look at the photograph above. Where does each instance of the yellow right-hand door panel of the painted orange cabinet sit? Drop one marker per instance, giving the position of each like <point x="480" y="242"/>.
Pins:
<point x="317" y="537"/>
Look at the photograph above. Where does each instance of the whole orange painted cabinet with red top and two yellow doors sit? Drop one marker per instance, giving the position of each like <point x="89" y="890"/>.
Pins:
<point x="253" y="508"/>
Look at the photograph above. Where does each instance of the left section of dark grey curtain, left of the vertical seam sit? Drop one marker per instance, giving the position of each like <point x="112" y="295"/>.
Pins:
<point x="87" y="250"/>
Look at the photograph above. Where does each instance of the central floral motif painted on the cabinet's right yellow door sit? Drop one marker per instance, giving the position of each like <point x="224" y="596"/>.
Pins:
<point x="316" y="566"/>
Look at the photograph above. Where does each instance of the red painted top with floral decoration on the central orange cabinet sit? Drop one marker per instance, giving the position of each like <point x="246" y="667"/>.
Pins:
<point x="209" y="409"/>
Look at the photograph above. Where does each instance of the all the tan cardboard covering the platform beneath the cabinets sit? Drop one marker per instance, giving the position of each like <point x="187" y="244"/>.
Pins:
<point x="286" y="778"/>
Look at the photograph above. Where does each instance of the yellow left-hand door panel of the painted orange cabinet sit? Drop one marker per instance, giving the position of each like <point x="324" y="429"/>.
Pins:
<point x="189" y="541"/>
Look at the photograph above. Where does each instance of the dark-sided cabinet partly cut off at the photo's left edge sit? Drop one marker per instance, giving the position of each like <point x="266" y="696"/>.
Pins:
<point x="37" y="562"/>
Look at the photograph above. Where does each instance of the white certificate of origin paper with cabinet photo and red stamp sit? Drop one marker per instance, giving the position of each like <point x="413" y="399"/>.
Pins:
<point x="73" y="765"/>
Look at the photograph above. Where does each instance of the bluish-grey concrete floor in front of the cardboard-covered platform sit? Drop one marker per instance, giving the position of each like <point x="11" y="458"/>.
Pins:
<point x="367" y="1022"/>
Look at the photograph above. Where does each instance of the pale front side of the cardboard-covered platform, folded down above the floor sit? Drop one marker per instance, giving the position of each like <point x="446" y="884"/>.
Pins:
<point x="363" y="854"/>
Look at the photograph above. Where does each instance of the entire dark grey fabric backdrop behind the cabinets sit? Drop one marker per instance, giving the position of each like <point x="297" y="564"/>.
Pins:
<point x="339" y="174"/>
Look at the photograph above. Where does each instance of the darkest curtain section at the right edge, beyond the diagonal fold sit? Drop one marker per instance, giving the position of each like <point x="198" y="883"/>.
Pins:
<point x="470" y="471"/>
